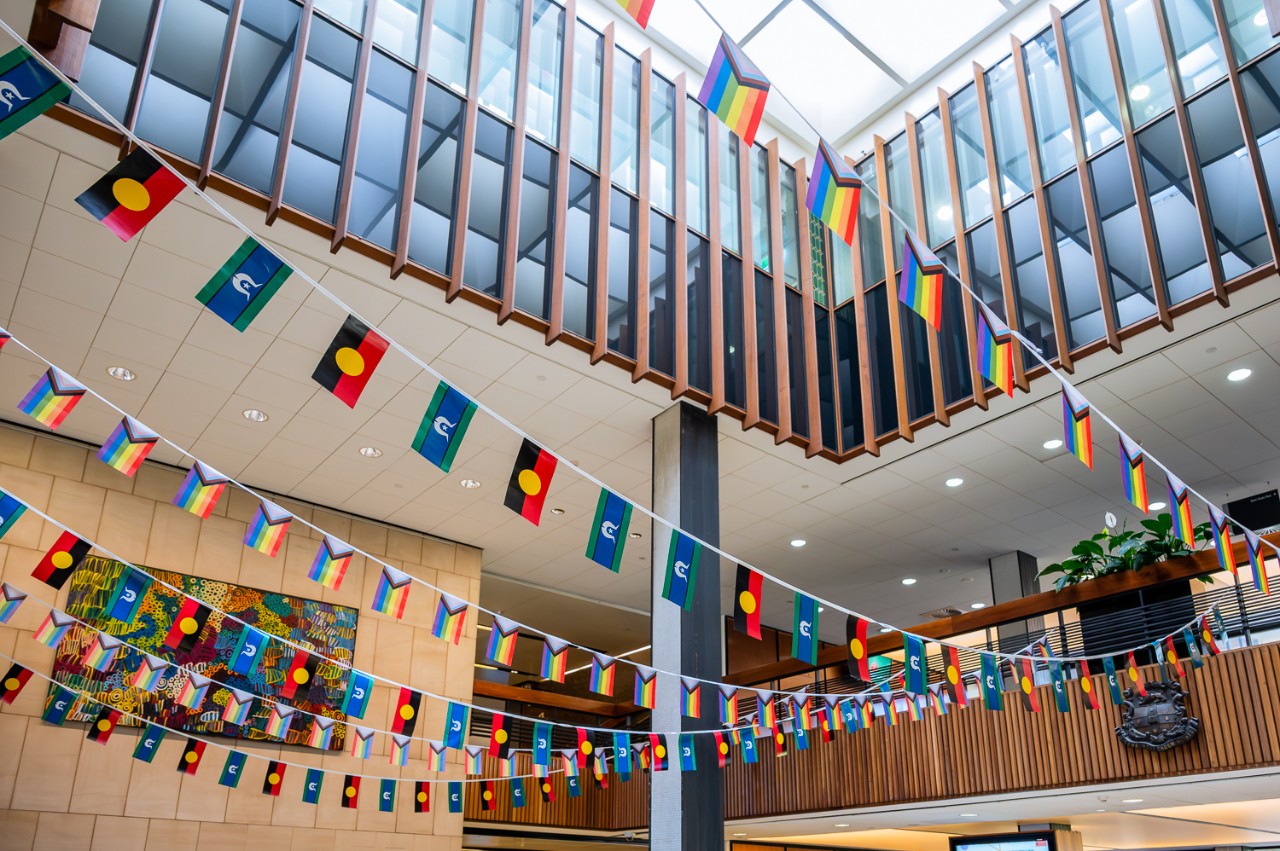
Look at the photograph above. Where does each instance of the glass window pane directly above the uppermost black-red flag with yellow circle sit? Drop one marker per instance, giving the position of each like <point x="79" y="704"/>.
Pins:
<point x="184" y="74"/>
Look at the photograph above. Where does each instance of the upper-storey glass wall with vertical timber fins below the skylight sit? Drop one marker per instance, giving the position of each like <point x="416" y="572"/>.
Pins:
<point x="1114" y="172"/>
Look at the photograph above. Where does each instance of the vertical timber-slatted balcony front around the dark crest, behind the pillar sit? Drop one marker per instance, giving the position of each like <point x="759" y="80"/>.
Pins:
<point x="971" y="752"/>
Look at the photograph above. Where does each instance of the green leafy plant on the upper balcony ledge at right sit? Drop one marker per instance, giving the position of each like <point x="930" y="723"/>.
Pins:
<point x="1128" y="550"/>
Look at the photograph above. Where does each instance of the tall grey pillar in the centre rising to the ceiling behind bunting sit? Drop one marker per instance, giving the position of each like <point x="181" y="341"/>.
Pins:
<point x="687" y="811"/>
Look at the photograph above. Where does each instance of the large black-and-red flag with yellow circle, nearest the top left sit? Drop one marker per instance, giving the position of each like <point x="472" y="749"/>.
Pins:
<point x="131" y="195"/>
